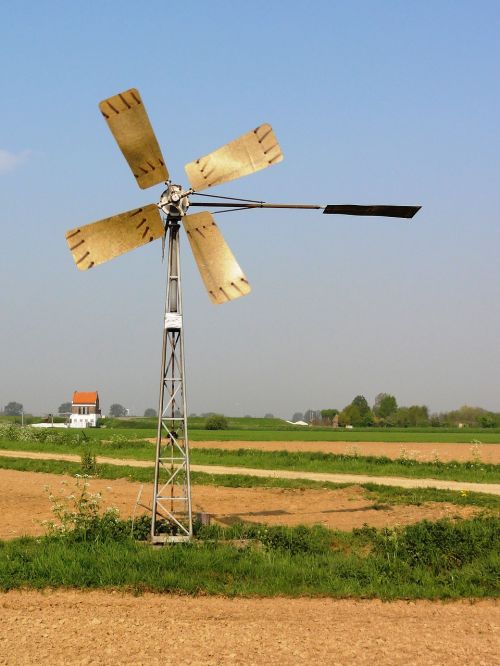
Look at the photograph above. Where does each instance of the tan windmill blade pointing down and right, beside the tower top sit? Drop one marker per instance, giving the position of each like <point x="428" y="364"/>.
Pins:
<point x="219" y="270"/>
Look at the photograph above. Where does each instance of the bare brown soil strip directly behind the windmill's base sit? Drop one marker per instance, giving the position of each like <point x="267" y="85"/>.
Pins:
<point x="24" y="504"/>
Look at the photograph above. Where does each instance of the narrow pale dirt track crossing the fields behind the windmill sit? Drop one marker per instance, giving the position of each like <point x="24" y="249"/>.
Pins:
<point x="401" y="482"/>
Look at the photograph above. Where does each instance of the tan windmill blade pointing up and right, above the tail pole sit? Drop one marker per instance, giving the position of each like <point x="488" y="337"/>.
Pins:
<point x="247" y="154"/>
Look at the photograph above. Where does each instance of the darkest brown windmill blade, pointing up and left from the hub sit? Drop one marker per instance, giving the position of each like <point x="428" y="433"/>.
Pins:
<point x="129" y="124"/>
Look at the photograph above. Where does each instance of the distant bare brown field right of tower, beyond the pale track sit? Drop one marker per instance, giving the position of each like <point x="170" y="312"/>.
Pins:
<point x="423" y="452"/>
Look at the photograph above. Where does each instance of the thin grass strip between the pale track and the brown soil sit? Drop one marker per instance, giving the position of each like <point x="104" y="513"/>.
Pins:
<point x="379" y="494"/>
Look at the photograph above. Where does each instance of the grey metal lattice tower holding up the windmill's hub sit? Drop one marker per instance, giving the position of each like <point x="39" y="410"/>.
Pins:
<point x="172" y="513"/>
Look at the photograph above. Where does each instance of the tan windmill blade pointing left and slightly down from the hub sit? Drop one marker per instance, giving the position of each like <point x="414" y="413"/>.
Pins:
<point x="101" y="241"/>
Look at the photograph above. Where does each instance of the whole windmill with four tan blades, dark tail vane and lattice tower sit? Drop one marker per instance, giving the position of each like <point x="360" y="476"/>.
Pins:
<point x="224" y="280"/>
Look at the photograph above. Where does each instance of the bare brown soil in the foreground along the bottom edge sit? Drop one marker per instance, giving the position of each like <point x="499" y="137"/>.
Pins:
<point x="76" y="628"/>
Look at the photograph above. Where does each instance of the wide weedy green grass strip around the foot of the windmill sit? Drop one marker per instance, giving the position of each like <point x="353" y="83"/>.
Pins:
<point x="440" y="560"/>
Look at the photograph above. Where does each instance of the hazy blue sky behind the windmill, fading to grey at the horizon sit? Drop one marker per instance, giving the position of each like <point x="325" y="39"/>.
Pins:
<point x="372" y="102"/>
